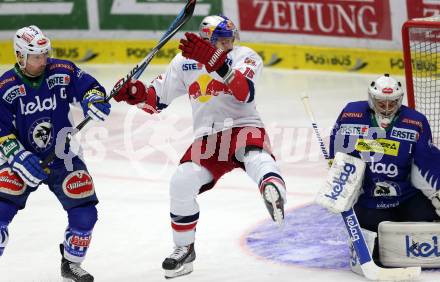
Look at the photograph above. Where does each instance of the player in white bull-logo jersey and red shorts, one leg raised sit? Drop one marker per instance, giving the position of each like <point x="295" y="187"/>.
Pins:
<point x="219" y="78"/>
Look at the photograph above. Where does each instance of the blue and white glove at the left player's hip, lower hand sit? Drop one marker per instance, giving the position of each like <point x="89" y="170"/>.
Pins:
<point x="24" y="163"/>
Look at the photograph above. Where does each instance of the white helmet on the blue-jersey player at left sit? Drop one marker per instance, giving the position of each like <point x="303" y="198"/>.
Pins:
<point x="30" y="40"/>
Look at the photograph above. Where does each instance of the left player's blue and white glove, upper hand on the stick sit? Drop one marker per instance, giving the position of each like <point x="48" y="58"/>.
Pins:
<point x="95" y="106"/>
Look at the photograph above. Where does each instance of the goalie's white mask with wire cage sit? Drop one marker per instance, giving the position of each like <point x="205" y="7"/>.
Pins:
<point x="385" y="89"/>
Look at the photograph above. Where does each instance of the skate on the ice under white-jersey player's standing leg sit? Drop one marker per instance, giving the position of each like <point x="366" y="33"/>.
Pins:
<point x="179" y="262"/>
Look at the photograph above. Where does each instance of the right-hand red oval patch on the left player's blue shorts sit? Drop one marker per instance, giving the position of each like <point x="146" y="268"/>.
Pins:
<point x="78" y="184"/>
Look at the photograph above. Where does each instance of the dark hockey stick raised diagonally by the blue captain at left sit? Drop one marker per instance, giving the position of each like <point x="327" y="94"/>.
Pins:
<point x="184" y="15"/>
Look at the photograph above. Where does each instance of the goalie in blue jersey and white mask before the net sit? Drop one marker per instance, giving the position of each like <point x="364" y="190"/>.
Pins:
<point x="400" y="181"/>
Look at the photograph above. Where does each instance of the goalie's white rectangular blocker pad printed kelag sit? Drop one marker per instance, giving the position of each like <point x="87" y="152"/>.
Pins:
<point x="343" y="184"/>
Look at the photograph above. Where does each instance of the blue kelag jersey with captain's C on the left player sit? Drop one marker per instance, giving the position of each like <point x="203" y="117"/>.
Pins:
<point x="36" y="110"/>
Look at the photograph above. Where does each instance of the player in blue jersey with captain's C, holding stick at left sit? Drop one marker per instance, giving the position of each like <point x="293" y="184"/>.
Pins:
<point x="35" y="98"/>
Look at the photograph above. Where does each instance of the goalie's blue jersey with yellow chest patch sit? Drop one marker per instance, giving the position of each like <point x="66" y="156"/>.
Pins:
<point x="390" y="154"/>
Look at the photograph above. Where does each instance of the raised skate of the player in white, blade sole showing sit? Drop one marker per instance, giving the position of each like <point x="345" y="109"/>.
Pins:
<point x="274" y="202"/>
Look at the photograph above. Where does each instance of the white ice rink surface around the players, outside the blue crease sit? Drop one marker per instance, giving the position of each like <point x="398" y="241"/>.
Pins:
<point x="133" y="155"/>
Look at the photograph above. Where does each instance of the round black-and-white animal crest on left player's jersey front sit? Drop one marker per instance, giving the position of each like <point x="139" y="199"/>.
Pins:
<point x="41" y="134"/>
